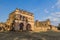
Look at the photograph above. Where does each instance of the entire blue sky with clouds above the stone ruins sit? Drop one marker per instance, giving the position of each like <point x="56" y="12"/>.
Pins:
<point x="42" y="9"/>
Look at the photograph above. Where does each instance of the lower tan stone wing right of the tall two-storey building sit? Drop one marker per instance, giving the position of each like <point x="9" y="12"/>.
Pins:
<point x="43" y="26"/>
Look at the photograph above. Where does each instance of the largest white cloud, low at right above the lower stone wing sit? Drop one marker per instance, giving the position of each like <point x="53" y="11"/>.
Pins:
<point x="54" y="18"/>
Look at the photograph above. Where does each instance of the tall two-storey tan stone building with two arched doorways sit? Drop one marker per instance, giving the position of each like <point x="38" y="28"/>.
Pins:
<point x="21" y="20"/>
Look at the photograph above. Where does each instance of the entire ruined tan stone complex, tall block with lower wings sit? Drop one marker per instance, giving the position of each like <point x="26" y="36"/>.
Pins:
<point x="20" y="20"/>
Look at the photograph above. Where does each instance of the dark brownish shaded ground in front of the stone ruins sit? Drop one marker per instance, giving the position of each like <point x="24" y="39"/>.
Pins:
<point x="30" y="36"/>
